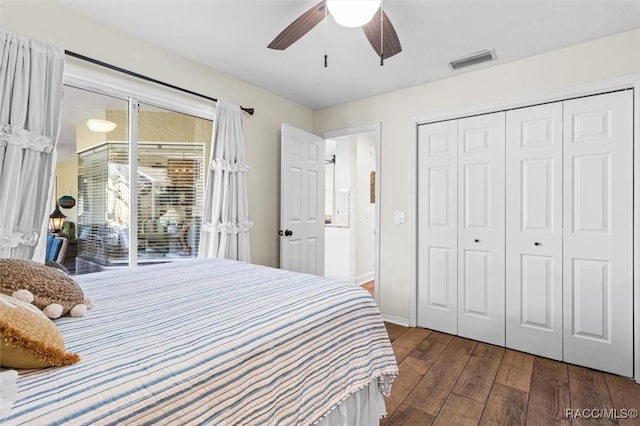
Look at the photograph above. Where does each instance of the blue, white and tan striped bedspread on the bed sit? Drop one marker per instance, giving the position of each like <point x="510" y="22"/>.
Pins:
<point x="210" y="342"/>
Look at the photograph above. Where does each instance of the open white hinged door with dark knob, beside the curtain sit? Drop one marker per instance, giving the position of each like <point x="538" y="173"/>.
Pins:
<point x="301" y="201"/>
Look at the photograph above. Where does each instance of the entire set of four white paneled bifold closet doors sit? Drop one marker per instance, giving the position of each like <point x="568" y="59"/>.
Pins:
<point x="525" y="225"/>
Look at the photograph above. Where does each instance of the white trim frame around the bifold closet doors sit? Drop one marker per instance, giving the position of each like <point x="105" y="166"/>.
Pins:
<point x="631" y="81"/>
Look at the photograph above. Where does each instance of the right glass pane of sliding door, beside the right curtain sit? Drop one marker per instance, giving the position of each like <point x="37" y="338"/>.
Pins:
<point x="172" y="149"/>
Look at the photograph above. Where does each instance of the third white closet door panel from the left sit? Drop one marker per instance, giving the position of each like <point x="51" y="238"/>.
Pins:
<point x="534" y="230"/>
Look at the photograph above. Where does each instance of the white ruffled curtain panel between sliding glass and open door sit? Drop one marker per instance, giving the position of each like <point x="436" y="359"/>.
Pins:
<point x="225" y="223"/>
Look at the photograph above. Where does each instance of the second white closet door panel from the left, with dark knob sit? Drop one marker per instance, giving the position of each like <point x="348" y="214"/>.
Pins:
<point x="481" y="228"/>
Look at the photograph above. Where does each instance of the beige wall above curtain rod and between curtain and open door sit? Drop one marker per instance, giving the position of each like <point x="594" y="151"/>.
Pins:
<point x="52" y="23"/>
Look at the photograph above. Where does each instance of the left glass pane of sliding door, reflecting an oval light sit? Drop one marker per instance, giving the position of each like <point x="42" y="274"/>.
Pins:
<point x="91" y="167"/>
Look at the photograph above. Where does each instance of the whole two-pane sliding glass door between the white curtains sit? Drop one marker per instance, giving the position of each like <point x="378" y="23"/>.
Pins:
<point x="144" y="156"/>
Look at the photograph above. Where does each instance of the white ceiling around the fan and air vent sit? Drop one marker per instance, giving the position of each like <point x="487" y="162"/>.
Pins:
<point x="232" y="36"/>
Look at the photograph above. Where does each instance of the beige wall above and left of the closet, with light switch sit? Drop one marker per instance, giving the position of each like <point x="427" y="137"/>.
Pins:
<point x="601" y="59"/>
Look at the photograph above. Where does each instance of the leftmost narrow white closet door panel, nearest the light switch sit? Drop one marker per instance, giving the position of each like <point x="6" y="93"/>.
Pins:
<point x="437" y="226"/>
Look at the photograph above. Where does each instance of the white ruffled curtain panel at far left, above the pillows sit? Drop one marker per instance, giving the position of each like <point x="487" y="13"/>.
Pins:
<point x="31" y="74"/>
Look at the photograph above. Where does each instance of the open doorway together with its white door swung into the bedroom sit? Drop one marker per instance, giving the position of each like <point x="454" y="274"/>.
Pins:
<point x="304" y="219"/>
